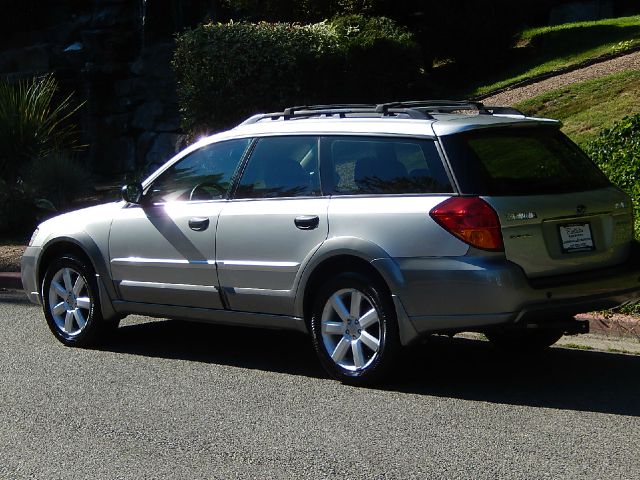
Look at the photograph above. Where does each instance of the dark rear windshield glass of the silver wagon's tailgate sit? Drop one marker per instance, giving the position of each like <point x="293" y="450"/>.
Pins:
<point x="522" y="161"/>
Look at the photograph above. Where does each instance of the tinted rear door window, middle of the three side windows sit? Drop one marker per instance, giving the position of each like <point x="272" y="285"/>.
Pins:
<point x="281" y="167"/>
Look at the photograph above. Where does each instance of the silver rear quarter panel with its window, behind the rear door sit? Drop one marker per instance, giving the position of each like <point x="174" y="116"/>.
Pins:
<point x="383" y="189"/>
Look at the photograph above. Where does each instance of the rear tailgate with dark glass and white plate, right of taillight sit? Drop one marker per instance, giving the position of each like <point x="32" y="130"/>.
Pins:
<point x="559" y="214"/>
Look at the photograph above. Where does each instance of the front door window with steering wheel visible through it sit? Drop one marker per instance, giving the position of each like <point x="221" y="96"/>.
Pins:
<point x="202" y="175"/>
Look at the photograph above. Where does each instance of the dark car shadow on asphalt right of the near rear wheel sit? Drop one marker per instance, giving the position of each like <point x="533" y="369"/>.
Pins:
<point x="558" y="378"/>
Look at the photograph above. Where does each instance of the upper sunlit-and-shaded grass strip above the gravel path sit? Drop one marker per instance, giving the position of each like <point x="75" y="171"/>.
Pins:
<point x="547" y="49"/>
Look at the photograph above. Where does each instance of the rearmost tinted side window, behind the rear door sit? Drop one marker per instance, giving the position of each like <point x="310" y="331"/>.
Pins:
<point x="363" y="165"/>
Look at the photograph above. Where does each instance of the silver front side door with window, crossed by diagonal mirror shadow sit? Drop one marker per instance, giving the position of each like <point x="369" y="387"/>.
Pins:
<point x="163" y="250"/>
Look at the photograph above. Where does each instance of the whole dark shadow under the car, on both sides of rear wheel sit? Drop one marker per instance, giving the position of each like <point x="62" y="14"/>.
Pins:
<point x="445" y="367"/>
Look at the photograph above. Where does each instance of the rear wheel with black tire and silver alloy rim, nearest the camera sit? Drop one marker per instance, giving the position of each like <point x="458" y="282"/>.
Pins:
<point x="354" y="329"/>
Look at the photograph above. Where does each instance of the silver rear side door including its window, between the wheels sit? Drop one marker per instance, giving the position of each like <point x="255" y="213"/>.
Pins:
<point x="275" y="221"/>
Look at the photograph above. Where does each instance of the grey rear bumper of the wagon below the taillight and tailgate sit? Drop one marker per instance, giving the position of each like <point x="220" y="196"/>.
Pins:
<point x="471" y="293"/>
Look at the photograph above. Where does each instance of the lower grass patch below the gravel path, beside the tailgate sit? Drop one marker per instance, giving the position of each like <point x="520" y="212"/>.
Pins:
<point x="588" y="107"/>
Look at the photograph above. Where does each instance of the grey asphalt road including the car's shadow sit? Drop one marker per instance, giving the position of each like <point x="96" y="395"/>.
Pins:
<point x="165" y="399"/>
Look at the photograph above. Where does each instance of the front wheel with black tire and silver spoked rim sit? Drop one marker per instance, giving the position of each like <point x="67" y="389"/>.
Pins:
<point x="71" y="303"/>
